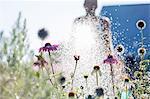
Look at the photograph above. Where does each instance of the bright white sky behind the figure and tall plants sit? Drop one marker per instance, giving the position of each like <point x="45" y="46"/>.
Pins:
<point x="55" y="15"/>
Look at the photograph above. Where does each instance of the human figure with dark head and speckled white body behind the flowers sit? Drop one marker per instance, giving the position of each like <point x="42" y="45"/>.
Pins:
<point x="91" y="40"/>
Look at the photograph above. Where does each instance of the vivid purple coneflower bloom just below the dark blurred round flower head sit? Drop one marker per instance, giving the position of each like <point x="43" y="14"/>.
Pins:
<point x="48" y="47"/>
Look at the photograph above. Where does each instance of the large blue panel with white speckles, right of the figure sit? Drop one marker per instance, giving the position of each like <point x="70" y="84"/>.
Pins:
<point x="124" y="30"/>
